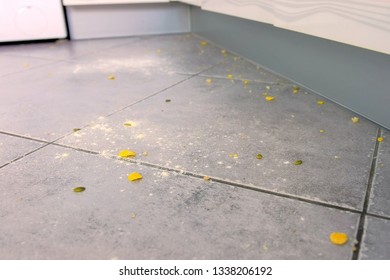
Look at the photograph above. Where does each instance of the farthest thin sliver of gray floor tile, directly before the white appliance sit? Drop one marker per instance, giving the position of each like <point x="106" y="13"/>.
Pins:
<point x="63" y="49"/>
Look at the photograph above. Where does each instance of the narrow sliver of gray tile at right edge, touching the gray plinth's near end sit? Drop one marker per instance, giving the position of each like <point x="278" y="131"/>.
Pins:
<point x="380" y="195"/>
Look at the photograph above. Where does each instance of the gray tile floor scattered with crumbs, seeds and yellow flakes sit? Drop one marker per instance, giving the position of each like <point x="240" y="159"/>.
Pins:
<point x="195" y="111"/>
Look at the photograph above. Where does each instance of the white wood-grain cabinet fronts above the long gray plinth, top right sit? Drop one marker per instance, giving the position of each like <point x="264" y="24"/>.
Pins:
<point x="363" y="23"/>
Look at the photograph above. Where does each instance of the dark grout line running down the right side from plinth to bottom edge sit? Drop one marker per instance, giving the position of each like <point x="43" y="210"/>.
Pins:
<point x="362" y="219"/>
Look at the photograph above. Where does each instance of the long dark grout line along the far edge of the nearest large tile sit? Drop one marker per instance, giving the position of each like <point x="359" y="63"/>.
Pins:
<point x="218" y="180"/>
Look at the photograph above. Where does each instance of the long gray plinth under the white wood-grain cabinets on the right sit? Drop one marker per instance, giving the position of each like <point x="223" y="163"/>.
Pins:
<point x="356" y="78"/>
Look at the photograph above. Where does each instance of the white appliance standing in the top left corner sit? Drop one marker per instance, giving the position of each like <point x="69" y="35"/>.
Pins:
<point x="22" y="20"/>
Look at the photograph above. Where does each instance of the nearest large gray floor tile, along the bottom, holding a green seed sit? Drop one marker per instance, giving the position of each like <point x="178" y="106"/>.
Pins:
<point x="163" y="216"/>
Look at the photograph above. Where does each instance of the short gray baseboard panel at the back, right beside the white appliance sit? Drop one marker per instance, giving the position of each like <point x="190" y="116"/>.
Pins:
<point x="120" y="20"/>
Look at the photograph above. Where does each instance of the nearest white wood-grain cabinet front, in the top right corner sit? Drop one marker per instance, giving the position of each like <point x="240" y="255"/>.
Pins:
<point x="363" y="23"/>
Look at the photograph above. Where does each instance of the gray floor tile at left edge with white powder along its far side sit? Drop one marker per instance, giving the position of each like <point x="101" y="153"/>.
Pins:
<point x="52" y="100"/>
